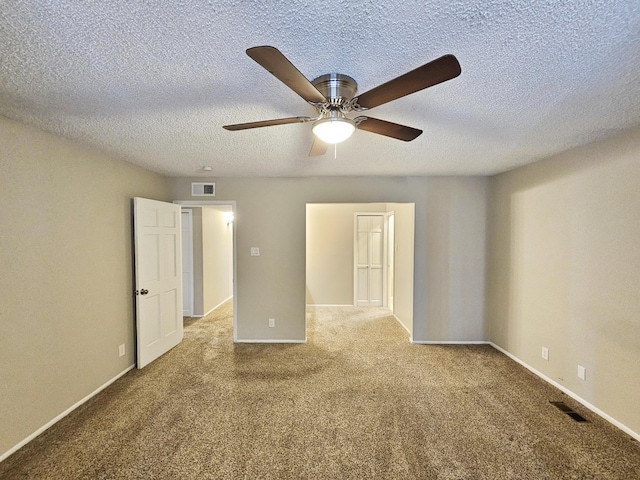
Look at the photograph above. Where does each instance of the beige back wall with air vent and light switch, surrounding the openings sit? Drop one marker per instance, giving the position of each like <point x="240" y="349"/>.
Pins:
<point x="271" y="215"/>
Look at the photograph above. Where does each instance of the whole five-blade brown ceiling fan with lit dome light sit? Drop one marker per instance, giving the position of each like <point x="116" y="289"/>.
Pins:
<point x="334" y="95"/>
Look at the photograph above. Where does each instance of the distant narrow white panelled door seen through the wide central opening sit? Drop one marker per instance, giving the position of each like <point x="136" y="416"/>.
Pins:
<point x="369" y="259"/>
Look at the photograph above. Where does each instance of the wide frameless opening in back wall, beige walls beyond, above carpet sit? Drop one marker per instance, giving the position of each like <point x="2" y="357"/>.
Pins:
<point x="332" y="249"/>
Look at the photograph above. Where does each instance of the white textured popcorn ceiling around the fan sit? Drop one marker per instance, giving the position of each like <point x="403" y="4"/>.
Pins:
<point x="153" y="82"/>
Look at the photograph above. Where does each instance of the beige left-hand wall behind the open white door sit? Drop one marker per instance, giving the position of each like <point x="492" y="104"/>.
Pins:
<point x="66" y="274"/>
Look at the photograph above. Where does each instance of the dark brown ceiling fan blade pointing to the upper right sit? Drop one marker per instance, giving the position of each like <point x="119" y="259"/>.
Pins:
<point x="437" y="71"/>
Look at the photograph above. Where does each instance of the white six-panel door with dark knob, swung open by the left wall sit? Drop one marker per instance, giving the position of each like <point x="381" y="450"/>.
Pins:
<point x="158" y="265"/>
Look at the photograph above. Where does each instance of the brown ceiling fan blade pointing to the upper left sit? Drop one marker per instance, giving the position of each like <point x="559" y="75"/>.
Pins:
<point x="276" y="63"/>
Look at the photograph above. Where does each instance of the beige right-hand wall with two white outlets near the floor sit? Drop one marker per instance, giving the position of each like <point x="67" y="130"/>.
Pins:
<point x="565" y="271"/>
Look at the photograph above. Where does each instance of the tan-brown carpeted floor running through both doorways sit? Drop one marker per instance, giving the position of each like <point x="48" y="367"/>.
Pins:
<point x="357" y="401"/>
